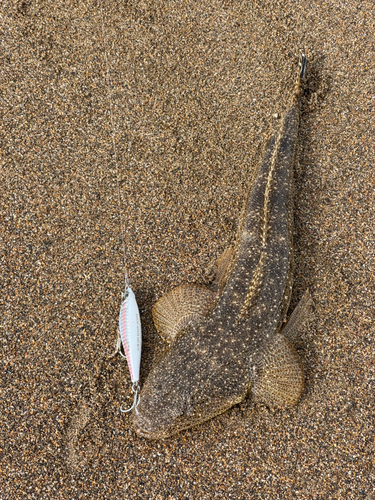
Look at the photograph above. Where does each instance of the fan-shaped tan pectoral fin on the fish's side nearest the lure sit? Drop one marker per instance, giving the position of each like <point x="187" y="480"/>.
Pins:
<point x="181" y="306"/>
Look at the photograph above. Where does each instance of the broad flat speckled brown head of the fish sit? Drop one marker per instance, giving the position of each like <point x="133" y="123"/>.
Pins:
<point x="178" y="395"/>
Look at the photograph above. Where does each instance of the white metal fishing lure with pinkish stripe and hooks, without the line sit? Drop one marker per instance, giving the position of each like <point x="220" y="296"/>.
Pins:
<point x="131" y="338"/>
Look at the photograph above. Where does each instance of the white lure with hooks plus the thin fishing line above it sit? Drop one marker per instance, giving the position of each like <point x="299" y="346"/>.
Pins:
<point x="129" y="331"/>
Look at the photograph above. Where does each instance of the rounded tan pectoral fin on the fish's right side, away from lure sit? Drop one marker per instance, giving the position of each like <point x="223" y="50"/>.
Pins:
<point x="278" y="375"/>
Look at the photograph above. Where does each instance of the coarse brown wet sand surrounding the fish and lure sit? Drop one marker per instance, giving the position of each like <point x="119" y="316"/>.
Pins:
<point x="198" y="89"/>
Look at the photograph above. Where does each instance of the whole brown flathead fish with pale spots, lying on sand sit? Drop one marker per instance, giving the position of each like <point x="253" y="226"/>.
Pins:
<point x="229" y="343"/>
